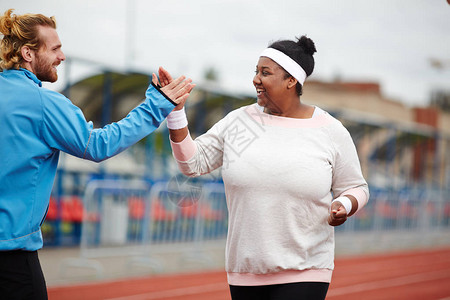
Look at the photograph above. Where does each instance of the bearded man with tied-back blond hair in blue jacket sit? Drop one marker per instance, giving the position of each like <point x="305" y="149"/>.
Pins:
<point x="35" y="125"/>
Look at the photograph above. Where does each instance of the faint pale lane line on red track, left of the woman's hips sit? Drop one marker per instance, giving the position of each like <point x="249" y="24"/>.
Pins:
<point x="194" y="290"/>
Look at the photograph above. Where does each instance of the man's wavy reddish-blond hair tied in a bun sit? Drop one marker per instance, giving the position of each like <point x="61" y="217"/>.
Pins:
<point x="20" y="31"/>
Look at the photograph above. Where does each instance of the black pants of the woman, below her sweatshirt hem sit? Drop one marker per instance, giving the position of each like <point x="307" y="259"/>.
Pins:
<point x="287" y="291"/>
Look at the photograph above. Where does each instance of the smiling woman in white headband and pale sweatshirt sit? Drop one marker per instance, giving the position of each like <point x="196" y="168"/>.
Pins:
<point x="282" y="162"/>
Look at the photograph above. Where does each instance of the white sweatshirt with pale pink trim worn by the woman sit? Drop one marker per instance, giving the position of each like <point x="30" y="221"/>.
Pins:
<point x="280" y="176"/>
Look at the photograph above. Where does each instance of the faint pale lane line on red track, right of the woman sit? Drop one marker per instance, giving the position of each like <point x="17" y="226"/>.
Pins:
<point x="376" y="285"/>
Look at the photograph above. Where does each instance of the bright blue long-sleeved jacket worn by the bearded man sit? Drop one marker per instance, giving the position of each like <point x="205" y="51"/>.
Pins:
<point x="35" y="125"/>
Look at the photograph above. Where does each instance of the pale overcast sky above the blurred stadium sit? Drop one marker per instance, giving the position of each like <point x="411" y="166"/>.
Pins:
<point x="386" y="41"/>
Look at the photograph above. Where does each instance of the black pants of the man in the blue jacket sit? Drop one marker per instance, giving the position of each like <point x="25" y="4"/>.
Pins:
<point x="21" y="276"/>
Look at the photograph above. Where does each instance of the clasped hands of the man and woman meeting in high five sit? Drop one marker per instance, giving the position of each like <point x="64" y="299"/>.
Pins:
<point x="177" y="90"/>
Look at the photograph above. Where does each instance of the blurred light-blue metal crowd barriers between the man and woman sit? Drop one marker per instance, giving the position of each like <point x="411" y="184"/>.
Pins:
<point x="139" y="221"/>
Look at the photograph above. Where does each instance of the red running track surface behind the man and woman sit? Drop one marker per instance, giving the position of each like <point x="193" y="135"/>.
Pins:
<point x="407" y="275"/>
